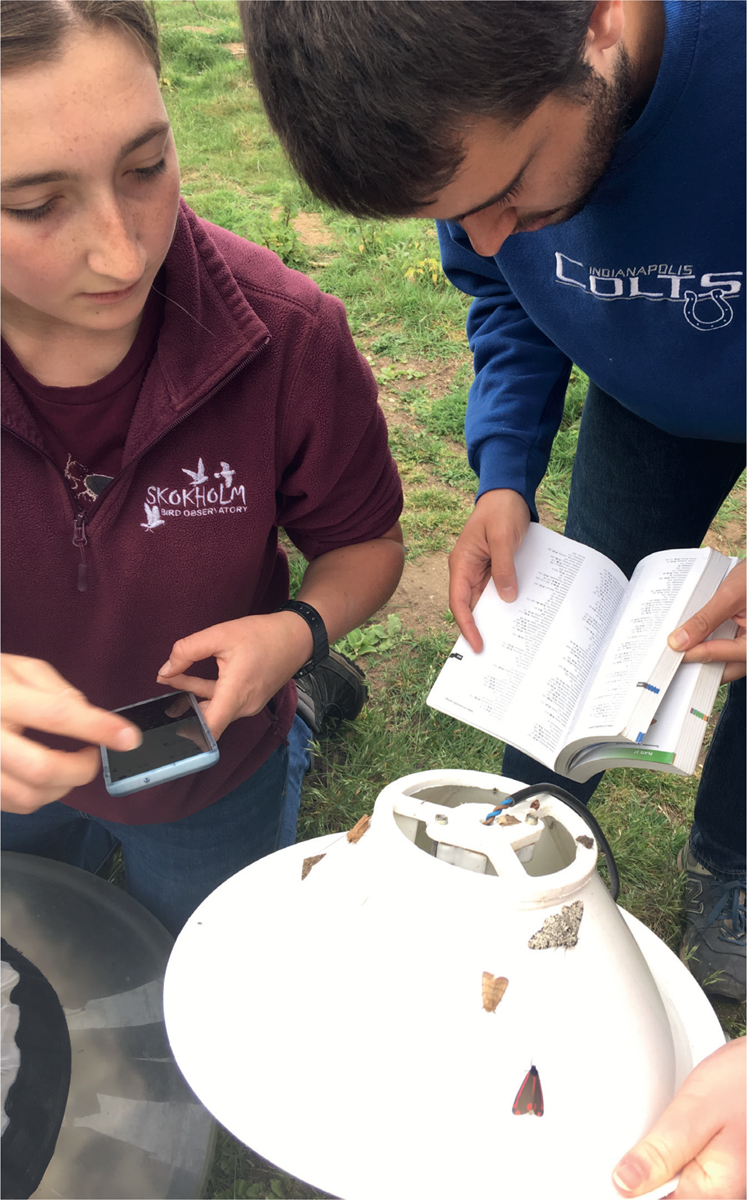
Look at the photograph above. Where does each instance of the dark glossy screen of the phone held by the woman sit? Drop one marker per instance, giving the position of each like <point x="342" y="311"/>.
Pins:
<point x="171" y="734"/>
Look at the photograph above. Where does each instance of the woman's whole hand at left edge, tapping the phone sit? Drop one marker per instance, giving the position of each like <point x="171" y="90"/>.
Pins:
<point x="35" y="697"/>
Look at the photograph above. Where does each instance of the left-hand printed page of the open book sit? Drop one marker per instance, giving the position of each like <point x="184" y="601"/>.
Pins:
<point x="540" y="651"/>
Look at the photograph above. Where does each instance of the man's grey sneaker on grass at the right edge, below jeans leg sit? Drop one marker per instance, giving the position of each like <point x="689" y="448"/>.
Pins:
<point x="714" y="943"/>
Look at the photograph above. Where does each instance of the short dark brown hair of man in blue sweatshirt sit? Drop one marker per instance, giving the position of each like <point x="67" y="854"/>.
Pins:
<point x="370" y="98"/>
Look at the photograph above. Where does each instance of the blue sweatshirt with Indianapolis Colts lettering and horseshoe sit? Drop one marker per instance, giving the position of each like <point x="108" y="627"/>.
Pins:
<point x="644" y="290"/>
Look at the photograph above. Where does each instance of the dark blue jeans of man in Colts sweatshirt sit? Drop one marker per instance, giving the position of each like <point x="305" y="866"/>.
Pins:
<point x="637" y="490"/>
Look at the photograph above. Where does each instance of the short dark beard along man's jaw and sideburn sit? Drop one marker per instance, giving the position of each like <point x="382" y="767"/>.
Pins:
<point x="608" y="106"/>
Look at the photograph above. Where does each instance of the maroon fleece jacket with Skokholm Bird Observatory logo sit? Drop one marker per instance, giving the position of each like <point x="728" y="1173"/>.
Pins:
<point x="258" y="412"/>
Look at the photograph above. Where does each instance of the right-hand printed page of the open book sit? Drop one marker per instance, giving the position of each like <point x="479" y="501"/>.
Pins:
<point x="636" y="645"/>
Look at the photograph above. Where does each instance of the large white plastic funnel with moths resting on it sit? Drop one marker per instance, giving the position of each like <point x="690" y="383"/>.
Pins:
<point x="343" y="1034"/>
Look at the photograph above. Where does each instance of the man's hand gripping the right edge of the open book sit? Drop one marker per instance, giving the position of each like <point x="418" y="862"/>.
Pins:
<point x="728" y="601"/>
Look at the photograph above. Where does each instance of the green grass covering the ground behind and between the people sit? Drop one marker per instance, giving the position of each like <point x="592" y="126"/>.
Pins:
<point x="410" y="323"/>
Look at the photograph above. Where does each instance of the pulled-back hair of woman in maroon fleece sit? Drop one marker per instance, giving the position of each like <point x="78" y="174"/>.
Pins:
<point x="35" y="31"/>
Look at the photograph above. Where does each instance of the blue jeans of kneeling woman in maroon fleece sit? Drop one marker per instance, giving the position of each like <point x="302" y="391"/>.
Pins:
<point x="171" y="868"/>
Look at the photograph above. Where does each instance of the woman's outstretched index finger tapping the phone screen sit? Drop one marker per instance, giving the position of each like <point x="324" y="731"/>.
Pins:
<point x="37" y="697"/>
